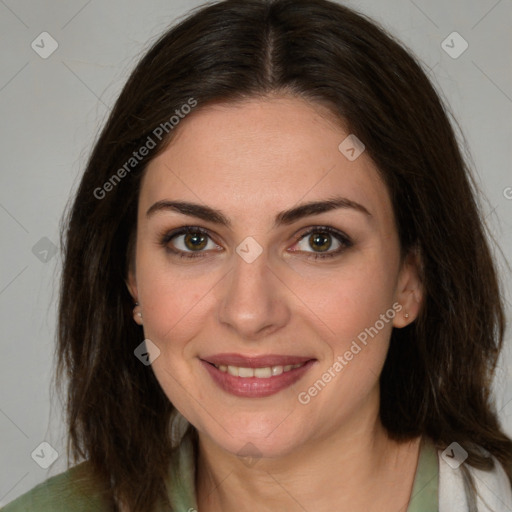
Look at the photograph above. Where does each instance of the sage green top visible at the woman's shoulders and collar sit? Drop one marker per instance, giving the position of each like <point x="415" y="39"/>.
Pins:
<point x="65" y="492"/>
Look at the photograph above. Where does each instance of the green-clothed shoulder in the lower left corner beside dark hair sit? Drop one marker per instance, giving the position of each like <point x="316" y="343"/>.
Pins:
<point x="71" y="491"/>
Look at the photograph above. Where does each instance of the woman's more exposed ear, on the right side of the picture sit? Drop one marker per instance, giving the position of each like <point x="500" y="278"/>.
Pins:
<point x="409" y="292"/>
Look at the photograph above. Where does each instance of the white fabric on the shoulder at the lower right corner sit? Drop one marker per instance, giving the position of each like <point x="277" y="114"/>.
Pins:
<point x="494" y="489"/>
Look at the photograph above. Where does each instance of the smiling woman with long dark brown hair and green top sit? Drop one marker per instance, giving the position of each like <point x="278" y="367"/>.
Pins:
<point x="270" y="299"/>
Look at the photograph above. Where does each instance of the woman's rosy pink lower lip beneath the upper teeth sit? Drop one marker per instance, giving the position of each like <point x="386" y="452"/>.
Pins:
<point x="255" y="387"/>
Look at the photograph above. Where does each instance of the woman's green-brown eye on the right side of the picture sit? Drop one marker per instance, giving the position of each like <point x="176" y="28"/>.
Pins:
<point x="322" y="242"/>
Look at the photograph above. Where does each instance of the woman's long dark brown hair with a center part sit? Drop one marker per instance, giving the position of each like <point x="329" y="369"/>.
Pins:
<point x="437" y="375"/>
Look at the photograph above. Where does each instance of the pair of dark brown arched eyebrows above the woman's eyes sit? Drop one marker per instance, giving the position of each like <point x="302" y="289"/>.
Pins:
<point x="286" y="217"/>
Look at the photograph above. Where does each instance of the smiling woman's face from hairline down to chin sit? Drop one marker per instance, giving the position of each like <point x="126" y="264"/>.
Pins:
<point x="268" y="274"/>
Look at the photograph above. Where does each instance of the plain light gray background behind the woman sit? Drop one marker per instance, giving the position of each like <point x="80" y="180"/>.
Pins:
<point x="51" y="110"/>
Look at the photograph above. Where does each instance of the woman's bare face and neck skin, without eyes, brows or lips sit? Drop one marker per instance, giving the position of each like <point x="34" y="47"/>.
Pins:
<point x="252" y="160"/>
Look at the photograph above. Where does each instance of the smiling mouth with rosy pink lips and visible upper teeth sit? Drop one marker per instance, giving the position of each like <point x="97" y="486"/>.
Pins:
<point x="255" y="377"/>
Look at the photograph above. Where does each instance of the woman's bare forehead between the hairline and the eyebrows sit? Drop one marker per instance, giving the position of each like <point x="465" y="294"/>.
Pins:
<point x="262" y="156"/>
